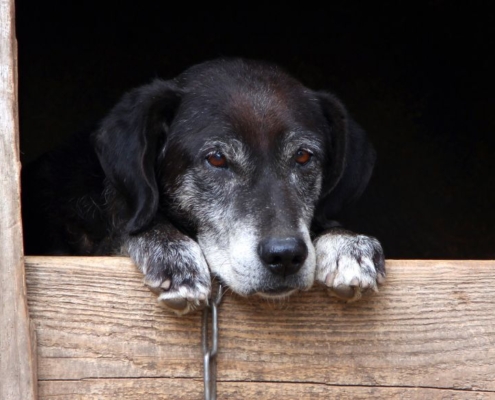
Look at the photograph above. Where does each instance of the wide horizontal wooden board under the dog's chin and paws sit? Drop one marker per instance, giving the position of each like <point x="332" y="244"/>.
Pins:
<point x="430" y="330"/>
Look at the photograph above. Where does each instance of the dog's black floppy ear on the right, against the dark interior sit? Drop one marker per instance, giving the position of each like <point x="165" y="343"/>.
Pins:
<point x="350" y="161"/>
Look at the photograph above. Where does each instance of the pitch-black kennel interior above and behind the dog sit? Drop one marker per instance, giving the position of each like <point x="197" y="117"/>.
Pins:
<point x="419" y="78"/>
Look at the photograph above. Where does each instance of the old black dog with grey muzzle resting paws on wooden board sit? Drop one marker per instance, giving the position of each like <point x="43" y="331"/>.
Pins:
<point x="233" y="170"/>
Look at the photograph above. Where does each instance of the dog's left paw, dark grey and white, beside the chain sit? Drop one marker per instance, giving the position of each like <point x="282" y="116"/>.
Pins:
<point x="175" y="270"/>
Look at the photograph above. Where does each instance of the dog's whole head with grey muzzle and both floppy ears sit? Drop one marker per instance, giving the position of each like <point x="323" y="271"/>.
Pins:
<point x="241" y="156"/>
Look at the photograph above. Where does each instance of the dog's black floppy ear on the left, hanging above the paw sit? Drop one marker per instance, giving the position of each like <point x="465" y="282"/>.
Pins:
<point x="127" y="143"/>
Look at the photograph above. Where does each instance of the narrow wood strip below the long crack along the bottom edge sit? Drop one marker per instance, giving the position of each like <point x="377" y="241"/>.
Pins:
<point x="188" y="389"/>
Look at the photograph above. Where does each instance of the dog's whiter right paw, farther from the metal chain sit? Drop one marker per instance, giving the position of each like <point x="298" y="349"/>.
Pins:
<point x="349" y="264"/>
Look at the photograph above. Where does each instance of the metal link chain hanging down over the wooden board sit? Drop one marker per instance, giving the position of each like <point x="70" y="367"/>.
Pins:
<point x="210" y="352"/>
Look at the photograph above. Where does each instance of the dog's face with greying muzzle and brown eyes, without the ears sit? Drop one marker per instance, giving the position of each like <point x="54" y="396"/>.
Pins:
<point x="244" y="163"/>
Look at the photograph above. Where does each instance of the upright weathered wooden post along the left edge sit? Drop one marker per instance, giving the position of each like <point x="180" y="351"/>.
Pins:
<point x="17" y="368"/>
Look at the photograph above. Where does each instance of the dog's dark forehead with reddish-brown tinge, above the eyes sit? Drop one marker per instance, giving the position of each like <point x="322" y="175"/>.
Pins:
<point x="259" y="104"/>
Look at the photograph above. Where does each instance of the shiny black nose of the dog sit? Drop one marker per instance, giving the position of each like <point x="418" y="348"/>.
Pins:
<point x="283" y="256"/>
